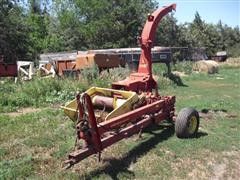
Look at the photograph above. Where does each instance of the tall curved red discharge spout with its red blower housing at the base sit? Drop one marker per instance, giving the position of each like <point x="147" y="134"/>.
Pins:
<point x="143" y="79"/>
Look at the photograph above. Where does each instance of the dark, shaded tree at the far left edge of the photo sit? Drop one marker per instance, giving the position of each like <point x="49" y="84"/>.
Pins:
<point x="13" y="37"/>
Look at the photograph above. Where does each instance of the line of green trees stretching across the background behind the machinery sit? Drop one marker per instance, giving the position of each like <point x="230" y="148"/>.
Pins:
<point x="31" y="27"/>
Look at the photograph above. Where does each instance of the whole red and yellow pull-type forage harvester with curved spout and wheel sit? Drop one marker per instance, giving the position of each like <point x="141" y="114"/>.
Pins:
<point x="106" y="116"/>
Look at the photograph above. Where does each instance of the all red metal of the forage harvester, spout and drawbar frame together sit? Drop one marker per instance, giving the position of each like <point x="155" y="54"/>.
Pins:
<point x="155" y="109"/>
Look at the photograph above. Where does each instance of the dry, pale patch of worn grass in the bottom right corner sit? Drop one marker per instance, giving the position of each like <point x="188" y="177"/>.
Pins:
<point x="211" y="165"/>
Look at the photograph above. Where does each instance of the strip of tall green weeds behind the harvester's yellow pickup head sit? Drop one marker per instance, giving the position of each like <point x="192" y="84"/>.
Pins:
<point x="40" y="92"/>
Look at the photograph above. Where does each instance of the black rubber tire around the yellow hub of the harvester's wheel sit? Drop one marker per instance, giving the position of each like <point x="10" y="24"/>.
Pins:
<point x="182" y="123"/>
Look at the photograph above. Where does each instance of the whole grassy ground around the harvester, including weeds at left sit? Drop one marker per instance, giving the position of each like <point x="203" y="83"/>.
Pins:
<point x="35" y="141"/>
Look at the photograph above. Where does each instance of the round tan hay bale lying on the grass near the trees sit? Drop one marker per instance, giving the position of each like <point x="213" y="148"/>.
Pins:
<point x="207" y="66"/>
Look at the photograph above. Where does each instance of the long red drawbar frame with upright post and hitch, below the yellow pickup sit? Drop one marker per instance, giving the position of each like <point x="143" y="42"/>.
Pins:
<point x="105" y="134"/>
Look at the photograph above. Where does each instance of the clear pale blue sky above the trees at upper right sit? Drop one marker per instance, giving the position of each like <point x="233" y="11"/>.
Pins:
<point x="211" y="11"/>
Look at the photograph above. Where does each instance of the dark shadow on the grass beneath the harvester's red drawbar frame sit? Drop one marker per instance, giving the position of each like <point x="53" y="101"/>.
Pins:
<point x="117" y="166"/>
